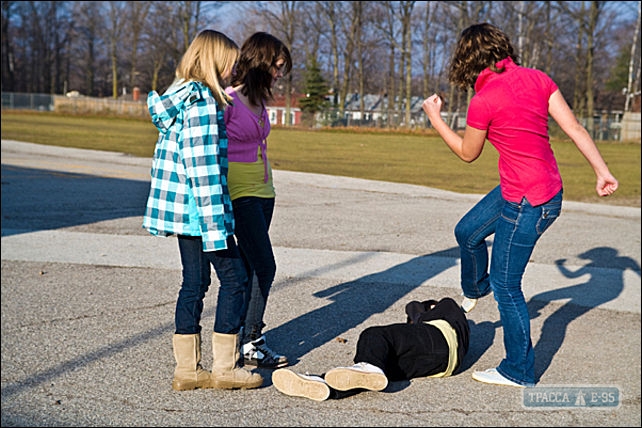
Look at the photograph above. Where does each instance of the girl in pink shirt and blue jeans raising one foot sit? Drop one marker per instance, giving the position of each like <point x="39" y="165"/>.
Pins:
<point x="510" y="108"/>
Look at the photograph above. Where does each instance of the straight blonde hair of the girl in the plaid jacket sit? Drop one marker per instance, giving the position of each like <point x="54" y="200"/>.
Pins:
<point x="208" y="57"/>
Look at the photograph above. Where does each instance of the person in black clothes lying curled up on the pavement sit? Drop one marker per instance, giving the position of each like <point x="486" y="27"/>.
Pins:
<point x="431" y="343"/>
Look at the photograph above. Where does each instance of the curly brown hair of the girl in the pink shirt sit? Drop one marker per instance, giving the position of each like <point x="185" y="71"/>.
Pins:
<point x="479" y="46"/>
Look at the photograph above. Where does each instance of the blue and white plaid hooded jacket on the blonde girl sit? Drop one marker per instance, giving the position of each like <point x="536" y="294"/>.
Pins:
<point x="189" y="194"/>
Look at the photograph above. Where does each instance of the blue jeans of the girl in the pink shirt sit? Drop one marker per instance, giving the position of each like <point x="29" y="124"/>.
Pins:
<point x="517" y="227"/>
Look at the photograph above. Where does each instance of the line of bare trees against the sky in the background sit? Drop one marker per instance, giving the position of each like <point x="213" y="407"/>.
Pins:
<point x="397" y="49"/>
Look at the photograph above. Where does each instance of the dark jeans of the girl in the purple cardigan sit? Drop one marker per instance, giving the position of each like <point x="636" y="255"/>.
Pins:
<point x="252" y="218"/>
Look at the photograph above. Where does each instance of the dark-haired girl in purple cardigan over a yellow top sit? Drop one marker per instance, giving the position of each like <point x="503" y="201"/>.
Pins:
<point x="264" y="60"/>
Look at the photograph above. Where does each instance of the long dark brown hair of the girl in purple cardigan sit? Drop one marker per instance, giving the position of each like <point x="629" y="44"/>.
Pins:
<point x="259" y="53"/>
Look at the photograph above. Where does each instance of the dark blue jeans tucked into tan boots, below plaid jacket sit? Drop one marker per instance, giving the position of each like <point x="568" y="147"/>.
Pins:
<point x="197" y="279"/>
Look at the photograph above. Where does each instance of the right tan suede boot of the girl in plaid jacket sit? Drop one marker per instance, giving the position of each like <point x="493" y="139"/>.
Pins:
<point x="226" y="373"/>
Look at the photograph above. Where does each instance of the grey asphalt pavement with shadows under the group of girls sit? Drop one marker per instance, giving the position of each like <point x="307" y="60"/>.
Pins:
<point x="88" y="304"/>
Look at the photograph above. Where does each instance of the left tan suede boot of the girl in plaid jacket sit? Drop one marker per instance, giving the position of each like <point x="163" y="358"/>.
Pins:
<point x="188" y="373"/>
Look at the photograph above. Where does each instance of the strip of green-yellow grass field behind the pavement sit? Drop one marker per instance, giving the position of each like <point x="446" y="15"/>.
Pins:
<point x="419" y="158"/>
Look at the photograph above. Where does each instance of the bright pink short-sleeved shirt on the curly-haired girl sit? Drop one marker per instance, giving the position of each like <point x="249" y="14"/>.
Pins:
<point x="513" y="108"/>
